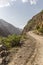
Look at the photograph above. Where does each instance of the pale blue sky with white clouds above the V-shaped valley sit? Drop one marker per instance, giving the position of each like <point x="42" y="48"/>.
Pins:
<point x="19" y="12"/>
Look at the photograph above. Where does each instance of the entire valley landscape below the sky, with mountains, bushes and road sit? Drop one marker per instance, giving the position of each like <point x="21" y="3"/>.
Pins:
<point x="22" y="47"/>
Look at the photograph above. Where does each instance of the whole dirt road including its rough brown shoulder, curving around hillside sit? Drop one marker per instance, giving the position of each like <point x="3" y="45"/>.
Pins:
<point x="31" y="53"/>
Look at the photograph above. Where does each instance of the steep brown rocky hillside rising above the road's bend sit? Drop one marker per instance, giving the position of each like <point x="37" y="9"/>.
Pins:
<point x="36" y="21"/>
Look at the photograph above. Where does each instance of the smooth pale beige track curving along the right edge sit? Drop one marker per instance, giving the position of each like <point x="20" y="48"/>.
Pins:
<point x="39" y="57"/>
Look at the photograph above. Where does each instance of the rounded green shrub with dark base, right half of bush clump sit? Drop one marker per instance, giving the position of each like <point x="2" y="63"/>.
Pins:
<point x="15" y="40"/>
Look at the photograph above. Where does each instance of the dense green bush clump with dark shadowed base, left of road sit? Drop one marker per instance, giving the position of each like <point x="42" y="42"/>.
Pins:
<point x="11" y="41"/>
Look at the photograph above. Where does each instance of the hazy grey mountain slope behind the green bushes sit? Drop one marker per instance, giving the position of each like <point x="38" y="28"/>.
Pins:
<point x="8" y="29"/>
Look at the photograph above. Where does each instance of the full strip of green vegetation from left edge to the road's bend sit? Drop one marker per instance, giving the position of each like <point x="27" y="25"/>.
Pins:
<point x="12" y="40"/>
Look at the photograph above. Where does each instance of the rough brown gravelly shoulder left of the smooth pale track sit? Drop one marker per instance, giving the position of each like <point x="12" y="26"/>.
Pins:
<point x="26" y="53"/>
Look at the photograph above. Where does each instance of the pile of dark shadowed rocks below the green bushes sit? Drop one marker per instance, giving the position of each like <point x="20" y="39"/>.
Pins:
<point x="4" y="55"/>
